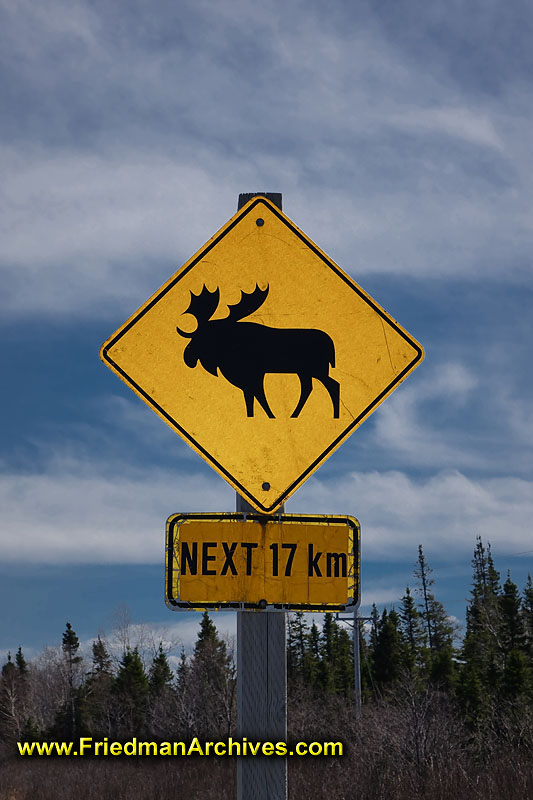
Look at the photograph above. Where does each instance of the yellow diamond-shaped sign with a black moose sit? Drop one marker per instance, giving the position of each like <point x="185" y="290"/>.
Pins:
<point x="262" y="354"/>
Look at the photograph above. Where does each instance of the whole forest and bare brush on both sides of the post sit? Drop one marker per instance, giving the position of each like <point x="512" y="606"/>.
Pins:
<point x="445" y="713"/>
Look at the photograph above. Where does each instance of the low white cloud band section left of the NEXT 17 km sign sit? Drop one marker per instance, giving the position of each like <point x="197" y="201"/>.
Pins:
<point x="79" y="513"/>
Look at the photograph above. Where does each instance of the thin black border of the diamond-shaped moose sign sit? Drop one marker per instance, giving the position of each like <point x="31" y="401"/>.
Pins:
<point x="208" y="457"/>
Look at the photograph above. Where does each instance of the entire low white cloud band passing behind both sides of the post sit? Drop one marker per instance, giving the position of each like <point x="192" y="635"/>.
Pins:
<point x="90" y="513"/>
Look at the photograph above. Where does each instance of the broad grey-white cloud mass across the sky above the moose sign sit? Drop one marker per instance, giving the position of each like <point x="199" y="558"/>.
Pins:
<point x="127" y="139"/>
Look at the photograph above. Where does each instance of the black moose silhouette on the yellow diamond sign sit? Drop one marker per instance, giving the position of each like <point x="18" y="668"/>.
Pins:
<point x="244" y="352"/>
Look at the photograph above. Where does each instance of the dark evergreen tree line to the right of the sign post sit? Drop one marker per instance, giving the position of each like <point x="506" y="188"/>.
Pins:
<point x="417" y="641"/>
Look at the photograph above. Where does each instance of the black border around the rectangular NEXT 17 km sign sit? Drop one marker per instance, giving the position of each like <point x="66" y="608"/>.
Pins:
<point x="175" y="521"/>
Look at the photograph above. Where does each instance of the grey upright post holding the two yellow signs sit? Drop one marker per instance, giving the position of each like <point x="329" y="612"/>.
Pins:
<point x="261" y="682"/>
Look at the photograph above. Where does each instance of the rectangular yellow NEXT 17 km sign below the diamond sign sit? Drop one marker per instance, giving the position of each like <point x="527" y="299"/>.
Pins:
<point x="238" y="560"/>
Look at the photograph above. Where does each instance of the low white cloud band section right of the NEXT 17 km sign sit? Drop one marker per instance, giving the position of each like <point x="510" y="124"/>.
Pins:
<point x="444" y="512"/>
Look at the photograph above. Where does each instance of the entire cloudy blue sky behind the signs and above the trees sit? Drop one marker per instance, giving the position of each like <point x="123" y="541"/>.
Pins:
<point x="399" y="134"/>
